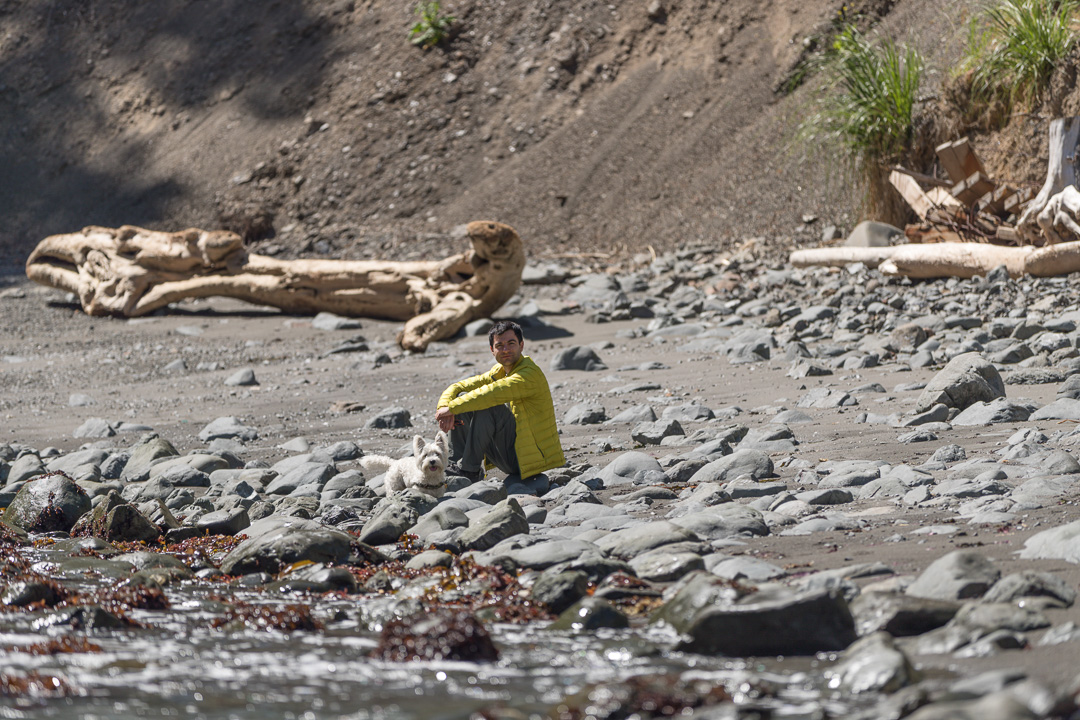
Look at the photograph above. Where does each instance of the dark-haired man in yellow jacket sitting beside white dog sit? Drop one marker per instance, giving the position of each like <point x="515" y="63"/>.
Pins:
<point x="505" y="417"/>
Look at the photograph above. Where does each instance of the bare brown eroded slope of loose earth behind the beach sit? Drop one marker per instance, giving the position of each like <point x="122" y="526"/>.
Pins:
<point x="317" y="128"/>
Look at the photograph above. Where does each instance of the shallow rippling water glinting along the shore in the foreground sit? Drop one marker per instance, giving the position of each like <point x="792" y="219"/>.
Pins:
<point x="181" y="668"/>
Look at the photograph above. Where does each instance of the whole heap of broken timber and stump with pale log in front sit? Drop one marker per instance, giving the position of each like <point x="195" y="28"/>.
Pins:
<point x="971" y="223"/>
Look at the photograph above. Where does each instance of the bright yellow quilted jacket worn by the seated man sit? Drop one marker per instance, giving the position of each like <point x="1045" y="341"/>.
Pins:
<point x="525" y="389"/>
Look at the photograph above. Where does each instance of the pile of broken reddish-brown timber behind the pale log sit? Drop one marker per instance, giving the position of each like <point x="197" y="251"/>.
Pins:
<point x="970" y="207"/>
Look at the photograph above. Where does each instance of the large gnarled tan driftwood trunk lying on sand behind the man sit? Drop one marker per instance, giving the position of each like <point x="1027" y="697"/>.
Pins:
<point x="132" y="271"/>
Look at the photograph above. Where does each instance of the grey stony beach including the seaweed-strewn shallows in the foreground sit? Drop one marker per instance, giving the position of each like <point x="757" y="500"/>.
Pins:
<point x="790" y="494"/>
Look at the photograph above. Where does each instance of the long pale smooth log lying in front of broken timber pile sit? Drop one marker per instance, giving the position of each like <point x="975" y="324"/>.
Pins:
<point x="950" y="260"/>
